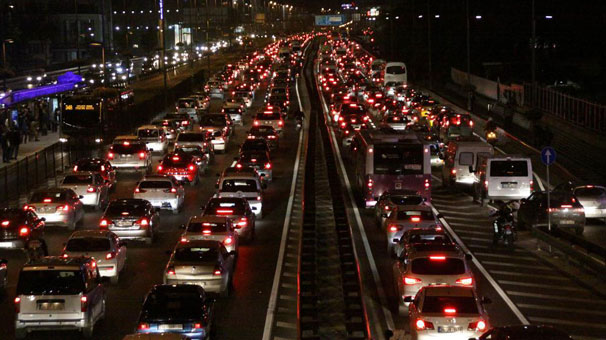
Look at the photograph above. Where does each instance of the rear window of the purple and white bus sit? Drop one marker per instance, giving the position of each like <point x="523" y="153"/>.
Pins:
<point x="393" y="159"/>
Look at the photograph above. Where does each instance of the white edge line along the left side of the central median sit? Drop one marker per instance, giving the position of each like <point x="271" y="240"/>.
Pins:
<point x="271" y="307"/>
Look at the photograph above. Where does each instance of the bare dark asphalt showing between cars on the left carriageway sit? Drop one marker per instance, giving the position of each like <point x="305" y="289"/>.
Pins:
<point x="242" y="315"/>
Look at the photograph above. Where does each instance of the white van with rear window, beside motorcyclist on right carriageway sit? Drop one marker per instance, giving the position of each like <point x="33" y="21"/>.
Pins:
<point x="503" y="178"/>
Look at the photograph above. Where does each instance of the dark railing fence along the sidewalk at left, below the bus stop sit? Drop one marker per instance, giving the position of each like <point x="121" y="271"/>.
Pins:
<point x="38" y="170"/>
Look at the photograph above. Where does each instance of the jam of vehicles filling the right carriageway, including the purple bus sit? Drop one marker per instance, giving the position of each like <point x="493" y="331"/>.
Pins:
<point x="409" y="157"/>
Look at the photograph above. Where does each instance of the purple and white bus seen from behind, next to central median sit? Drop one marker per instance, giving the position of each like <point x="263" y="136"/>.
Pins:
<point x="385" y="159"/>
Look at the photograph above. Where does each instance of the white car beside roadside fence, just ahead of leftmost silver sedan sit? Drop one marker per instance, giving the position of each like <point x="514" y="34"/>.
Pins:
<point x="90" y="187"/>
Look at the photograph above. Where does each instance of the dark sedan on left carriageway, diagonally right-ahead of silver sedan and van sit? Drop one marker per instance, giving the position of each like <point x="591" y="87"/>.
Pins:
<point x="131" y="219"/>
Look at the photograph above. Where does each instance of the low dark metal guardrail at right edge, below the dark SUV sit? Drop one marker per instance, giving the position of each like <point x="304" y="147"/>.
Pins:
<point x="581" y="251"/>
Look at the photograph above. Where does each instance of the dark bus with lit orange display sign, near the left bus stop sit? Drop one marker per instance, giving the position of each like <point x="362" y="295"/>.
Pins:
<point x="87" y="118"/>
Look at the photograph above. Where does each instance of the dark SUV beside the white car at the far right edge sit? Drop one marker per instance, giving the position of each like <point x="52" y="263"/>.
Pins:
<point x="565" y="210"/>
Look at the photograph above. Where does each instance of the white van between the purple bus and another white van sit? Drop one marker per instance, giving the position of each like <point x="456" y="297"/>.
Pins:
<point x="460" y="157"/>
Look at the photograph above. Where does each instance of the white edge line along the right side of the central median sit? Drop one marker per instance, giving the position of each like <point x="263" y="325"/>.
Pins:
<point x="362" y="231"/>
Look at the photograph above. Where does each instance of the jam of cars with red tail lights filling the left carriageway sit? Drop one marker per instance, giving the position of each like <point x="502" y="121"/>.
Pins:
<point x="115" y="203"/>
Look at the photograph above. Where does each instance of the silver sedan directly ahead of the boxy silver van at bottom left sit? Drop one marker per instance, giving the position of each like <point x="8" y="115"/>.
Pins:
<point x="102" y="245"/>
